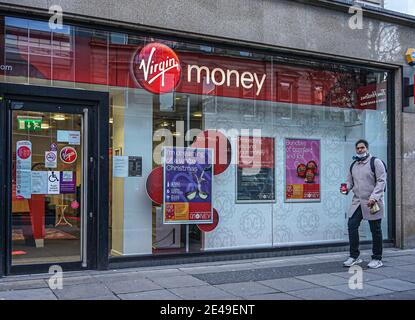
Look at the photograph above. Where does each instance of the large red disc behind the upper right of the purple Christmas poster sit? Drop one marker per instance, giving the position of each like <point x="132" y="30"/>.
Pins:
<point x="220" y="145"/>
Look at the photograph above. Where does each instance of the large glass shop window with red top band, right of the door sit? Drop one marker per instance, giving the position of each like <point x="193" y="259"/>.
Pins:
<point x="283" y="132"/>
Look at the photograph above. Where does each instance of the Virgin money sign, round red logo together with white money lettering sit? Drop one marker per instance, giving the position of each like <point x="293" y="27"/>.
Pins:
<point x="158" y="69"/>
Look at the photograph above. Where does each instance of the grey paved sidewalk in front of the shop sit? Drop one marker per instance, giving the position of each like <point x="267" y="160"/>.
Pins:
<point x="310" y="277"/>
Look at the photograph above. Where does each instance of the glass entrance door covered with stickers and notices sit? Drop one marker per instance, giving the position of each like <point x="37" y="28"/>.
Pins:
<point x="47" y="186"/>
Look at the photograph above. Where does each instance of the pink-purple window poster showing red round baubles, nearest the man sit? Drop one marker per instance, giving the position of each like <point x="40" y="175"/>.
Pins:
<point x="302" y="170"/>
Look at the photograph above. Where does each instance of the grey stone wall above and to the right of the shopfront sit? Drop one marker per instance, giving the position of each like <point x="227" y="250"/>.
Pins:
<point x="286" y="25"/>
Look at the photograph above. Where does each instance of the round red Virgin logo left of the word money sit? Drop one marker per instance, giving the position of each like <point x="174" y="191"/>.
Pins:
<point x="157" y="68"/>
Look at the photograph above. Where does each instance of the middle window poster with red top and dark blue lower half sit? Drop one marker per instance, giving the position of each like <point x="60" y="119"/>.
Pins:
<point x="255" y="173"/>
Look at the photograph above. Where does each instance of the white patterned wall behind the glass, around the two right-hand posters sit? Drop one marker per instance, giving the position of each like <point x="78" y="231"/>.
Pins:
<point x="280" y="223"/>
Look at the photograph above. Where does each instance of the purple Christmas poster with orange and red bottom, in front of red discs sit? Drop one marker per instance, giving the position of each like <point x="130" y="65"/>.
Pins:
<point x="188" y="185"/>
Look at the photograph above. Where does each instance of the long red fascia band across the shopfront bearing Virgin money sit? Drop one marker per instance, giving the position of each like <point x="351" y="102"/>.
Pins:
<point x="159" y="69"/>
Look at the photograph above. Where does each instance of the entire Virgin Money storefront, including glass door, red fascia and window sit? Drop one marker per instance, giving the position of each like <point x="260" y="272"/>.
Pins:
<point x="122" y="148"/>
